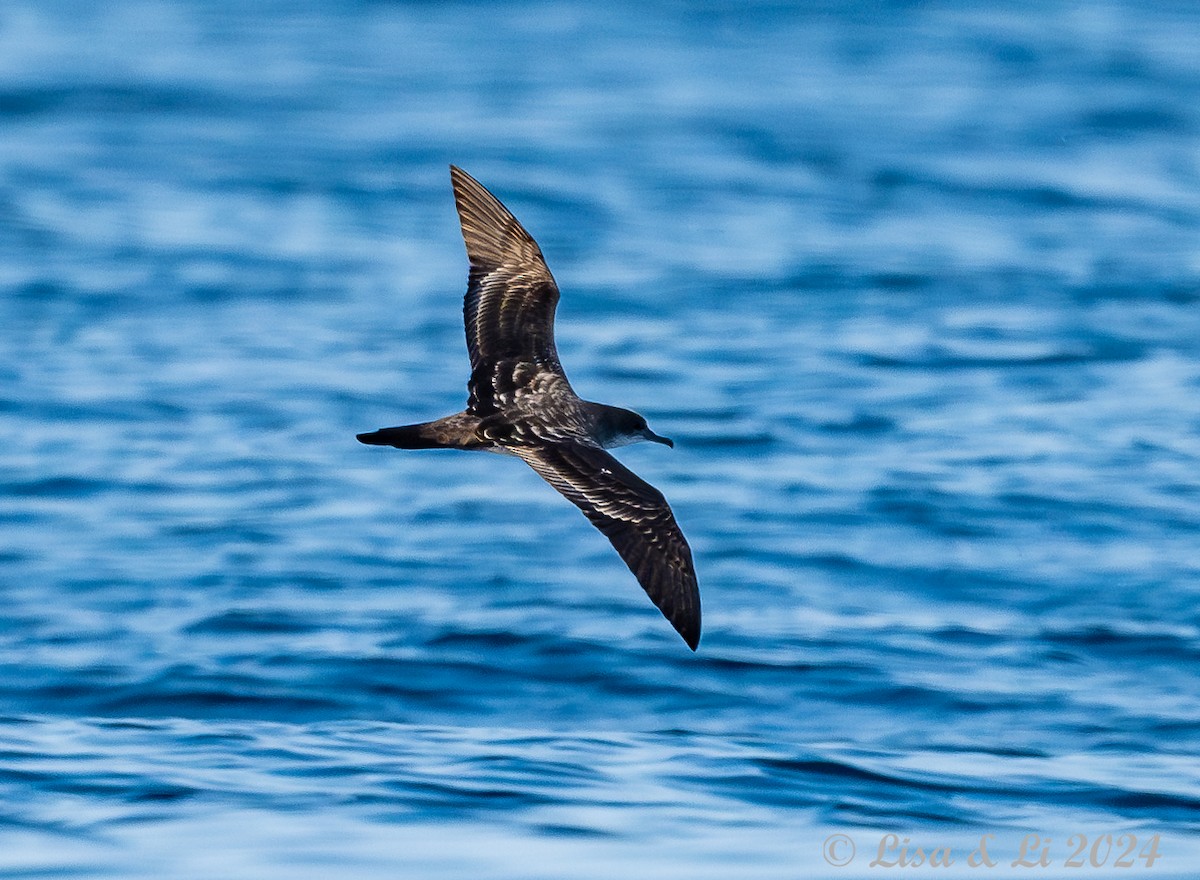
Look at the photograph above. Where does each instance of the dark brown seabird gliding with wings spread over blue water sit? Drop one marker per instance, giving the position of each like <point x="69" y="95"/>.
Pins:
<point x="521" y="404"/>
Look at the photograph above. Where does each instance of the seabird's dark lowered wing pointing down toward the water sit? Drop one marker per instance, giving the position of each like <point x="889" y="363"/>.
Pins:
<point x="635" y="517"/>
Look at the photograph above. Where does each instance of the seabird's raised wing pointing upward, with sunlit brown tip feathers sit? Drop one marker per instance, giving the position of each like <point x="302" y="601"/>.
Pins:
<point x="509" y="308"/>
